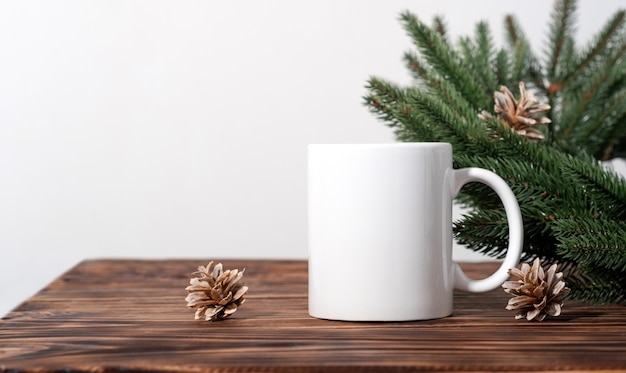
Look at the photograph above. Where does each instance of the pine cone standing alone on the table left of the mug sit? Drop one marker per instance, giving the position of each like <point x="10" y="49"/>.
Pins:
<point x="215" y="292"/>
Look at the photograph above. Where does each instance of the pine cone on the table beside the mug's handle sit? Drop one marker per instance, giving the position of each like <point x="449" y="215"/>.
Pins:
<point x="537" y="294"/>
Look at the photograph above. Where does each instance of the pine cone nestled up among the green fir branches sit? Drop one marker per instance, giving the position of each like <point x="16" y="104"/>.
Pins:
<point x="521" y="116"/>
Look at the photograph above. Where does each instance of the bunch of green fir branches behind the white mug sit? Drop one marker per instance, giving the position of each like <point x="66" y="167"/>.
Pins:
<point x="556" y="182"/>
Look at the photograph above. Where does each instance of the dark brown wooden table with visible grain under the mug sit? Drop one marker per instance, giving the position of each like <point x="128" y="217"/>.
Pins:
<point x="130" y="315"/>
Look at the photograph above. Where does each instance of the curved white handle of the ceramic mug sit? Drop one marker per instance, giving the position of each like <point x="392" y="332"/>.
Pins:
<point x="516" y="230"/>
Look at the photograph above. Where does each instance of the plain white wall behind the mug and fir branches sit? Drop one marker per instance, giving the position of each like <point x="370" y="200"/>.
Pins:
<point x="179" y="128"/>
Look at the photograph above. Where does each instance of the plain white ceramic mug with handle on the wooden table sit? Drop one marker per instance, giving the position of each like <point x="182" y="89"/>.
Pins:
<point x="380" y="231"/>
